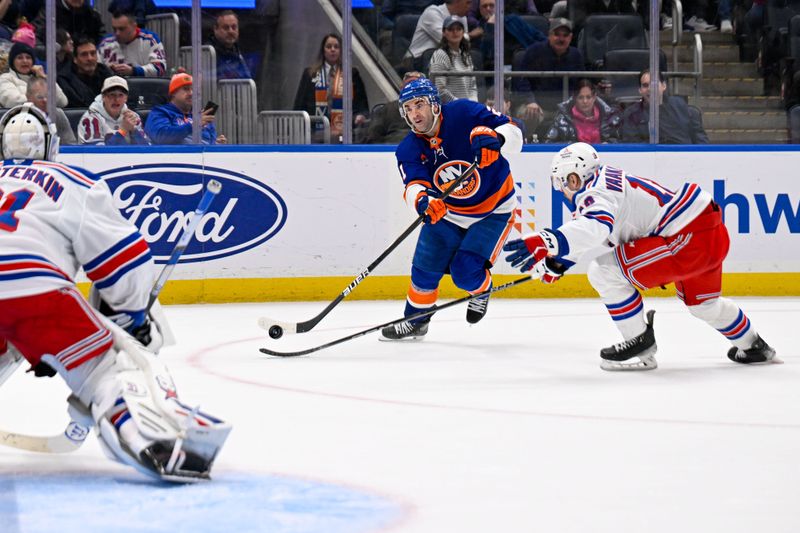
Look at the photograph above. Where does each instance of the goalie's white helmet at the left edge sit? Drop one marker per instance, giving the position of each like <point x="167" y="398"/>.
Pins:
<point x="26" y="133"/>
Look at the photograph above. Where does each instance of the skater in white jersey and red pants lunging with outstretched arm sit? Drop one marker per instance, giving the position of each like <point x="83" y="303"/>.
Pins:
<point x="657" y="236"/>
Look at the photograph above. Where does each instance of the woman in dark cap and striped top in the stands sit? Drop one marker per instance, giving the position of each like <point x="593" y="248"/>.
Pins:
<point x="453" y="56"/>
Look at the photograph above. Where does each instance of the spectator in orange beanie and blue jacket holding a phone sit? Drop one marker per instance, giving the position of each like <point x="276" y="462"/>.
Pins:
<point x="171" y="123"/>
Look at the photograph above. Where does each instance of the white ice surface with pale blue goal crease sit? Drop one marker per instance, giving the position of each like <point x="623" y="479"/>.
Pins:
<point x="505" y="426"/>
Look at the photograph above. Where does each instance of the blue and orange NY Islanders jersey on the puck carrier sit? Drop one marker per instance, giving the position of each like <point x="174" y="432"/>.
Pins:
<point x="433" y="162"/>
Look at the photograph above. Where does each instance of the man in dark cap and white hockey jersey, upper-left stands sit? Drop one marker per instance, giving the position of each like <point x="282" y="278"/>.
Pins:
<point x="132" y="51"/>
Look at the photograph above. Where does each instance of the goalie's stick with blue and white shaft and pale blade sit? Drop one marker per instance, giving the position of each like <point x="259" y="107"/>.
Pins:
<point x="76" y="432"/>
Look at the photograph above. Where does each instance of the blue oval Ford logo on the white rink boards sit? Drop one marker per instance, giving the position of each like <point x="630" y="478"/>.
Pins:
<point x="159" y="198"/>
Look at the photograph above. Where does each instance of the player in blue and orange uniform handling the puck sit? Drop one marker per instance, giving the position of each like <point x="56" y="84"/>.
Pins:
<point x="464" y="233"/>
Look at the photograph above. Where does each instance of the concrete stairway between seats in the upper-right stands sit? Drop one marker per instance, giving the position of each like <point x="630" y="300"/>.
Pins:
<point x="735" y="108"/>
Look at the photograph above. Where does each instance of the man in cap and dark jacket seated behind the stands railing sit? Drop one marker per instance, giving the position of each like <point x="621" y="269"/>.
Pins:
<point x="535" y="96"/>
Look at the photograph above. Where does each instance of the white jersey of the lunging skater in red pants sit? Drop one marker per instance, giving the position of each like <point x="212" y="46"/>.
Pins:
<point x="615" y="208"/>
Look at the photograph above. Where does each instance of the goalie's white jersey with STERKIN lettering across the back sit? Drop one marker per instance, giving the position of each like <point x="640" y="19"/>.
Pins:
<point x="55" y="219"/>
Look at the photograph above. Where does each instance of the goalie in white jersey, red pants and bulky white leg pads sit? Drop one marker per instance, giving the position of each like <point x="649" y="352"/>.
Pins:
<point x="55" y="219"/>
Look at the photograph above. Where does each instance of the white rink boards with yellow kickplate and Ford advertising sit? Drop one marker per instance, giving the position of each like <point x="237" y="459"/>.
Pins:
<point x="295" y="223"/>
